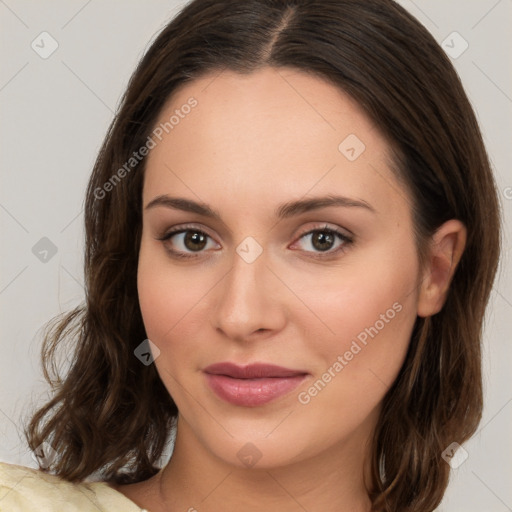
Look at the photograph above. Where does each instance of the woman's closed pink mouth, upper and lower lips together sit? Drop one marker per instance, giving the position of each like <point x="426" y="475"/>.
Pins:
<point x="252" y="385"/>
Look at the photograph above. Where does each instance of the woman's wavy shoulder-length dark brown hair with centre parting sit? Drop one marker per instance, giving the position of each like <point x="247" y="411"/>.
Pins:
<point x="112" y="414"/>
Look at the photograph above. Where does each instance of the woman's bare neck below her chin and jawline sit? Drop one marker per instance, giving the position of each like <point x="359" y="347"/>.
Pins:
<point x="195" y="479"/>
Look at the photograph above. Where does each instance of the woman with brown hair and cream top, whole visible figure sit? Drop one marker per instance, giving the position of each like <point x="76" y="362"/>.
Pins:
<point x="292" y="234"/>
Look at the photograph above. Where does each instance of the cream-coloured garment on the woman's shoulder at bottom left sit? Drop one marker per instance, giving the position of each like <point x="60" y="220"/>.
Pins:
<point x="24" y="489"/>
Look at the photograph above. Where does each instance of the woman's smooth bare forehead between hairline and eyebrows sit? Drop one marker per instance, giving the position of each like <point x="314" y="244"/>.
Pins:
<point x="272" y="135"/>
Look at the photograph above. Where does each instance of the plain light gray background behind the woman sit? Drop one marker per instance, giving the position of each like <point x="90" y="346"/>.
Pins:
<point x="55" y="112"/>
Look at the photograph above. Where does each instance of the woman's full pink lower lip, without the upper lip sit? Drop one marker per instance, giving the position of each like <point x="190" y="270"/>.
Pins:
<point x="252" y="392"/>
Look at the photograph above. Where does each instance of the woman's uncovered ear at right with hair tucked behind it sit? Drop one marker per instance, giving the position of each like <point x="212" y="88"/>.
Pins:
<point x="446" y="248"/>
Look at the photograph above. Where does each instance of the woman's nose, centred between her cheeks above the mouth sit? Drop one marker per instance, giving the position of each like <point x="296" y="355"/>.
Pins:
<point x="250" y="303"/>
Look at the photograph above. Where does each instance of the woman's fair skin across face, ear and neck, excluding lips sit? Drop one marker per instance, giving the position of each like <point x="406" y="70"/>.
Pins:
<point x="253" y="143"/>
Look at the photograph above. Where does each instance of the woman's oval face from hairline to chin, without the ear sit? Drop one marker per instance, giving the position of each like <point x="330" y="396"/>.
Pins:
<point x="293" y="247"/>
